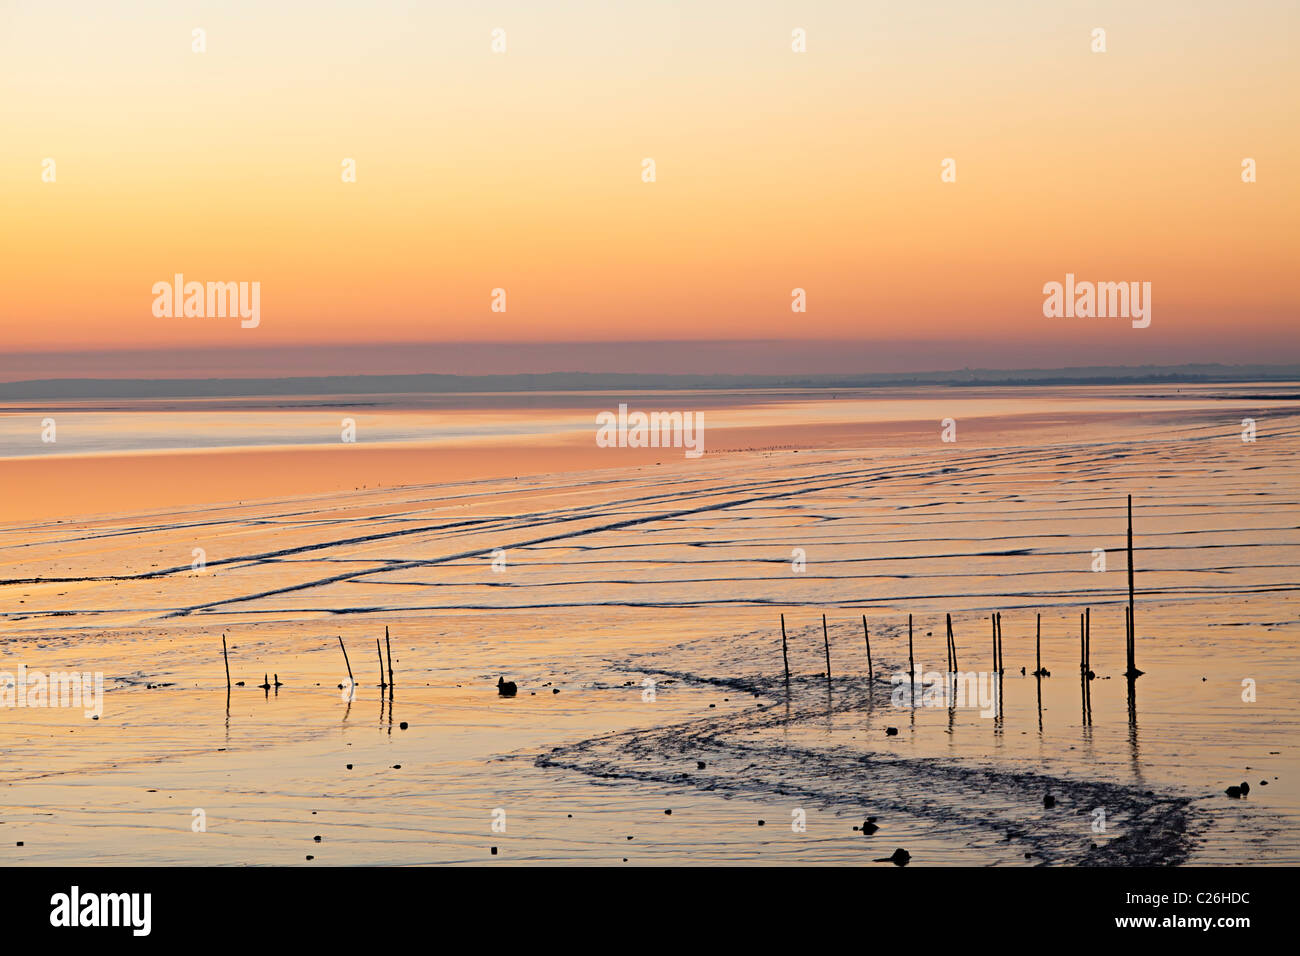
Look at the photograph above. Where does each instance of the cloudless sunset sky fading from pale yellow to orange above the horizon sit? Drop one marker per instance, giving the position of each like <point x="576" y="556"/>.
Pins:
<point x="775" y="171"/>
